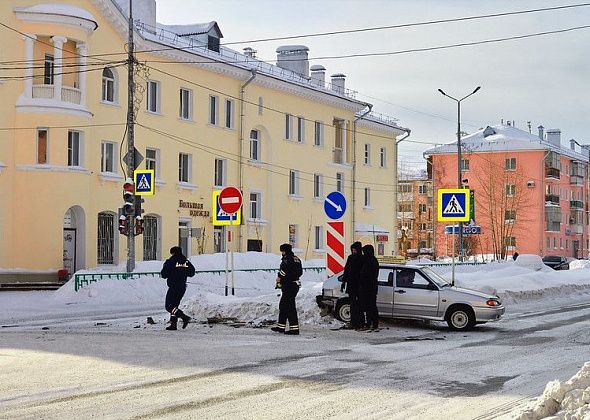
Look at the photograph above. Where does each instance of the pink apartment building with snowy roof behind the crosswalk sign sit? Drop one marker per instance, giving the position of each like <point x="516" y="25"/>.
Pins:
<point x="531" y="194"/>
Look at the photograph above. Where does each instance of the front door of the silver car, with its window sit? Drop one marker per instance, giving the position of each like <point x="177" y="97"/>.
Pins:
<point x="414" y="294"/>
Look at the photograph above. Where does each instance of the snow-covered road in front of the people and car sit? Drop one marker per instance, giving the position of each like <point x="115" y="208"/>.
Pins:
<point x="118" y="367"/>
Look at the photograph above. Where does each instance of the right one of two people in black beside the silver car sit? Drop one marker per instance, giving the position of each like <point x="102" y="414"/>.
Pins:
<point x="369" y="286"/>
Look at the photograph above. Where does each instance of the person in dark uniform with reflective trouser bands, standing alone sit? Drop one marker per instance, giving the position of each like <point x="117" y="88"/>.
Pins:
<point x="288" y="281"/>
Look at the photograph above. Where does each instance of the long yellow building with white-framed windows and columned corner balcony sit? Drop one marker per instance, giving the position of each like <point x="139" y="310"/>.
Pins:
<point x="206" y="117"/>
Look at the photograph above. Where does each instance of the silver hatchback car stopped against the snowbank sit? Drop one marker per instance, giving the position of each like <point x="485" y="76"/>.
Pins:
<point x="416" y="292"/>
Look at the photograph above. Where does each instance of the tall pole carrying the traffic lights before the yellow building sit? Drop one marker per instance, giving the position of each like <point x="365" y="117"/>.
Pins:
<point x="130" y="142"/>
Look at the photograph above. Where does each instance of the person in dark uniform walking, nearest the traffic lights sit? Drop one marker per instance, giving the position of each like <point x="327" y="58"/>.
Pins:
<point x="176" y="269"/>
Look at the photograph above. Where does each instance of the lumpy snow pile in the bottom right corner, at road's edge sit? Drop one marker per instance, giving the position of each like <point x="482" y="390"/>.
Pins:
<point x="569" y="400"/>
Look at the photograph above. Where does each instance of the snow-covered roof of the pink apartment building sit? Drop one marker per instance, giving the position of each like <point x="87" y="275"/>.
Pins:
<point x="503" y="138"/>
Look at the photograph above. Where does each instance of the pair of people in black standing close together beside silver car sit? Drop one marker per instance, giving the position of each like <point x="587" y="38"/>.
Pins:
<point x="360" y="280"/>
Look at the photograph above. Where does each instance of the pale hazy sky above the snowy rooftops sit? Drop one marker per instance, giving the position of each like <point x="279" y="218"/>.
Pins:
<point x="543" y="80"/>
